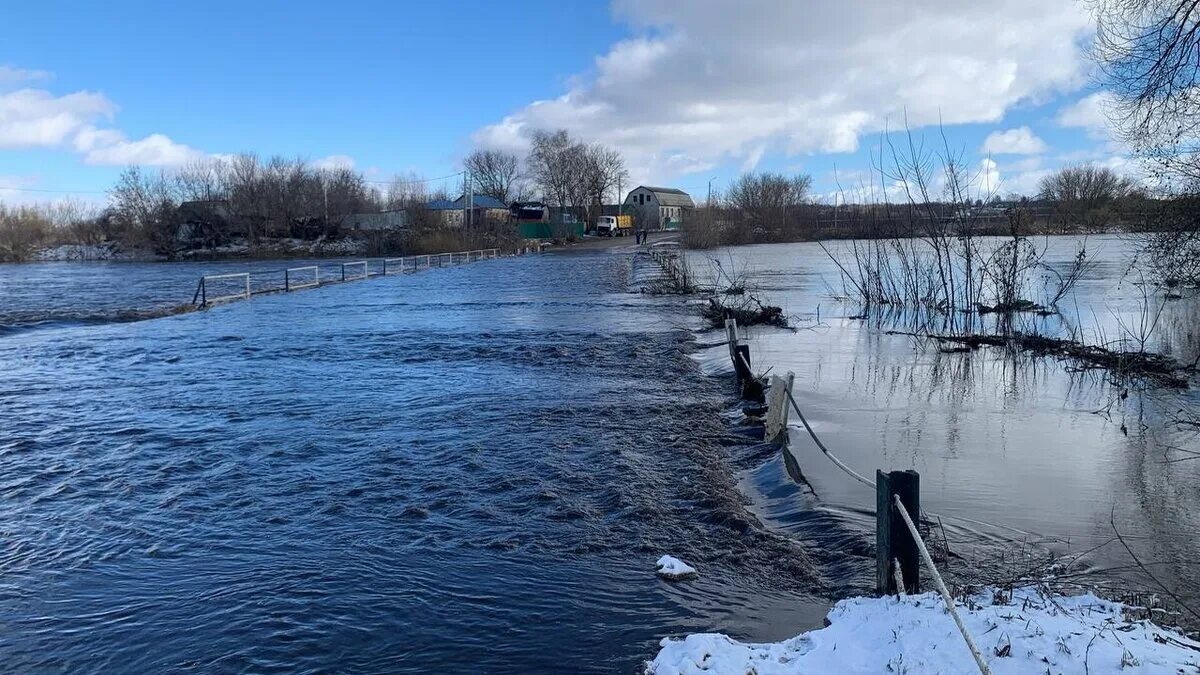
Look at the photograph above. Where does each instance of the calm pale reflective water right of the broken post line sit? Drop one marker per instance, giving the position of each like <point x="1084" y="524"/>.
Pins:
<point x="1023" y="457"/>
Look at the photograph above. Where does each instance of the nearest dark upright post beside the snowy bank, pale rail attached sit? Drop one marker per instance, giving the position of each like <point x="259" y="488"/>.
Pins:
<point x="893" y="541"/>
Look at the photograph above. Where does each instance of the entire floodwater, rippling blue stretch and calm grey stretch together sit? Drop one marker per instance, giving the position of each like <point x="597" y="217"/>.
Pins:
<point x="477" y="468"/>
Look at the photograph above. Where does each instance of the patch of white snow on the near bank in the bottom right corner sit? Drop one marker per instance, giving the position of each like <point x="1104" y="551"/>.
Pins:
<point x="1030" y="632"/>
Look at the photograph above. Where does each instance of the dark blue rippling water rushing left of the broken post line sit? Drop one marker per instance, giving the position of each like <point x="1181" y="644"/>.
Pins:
<point x="471" y="469"/>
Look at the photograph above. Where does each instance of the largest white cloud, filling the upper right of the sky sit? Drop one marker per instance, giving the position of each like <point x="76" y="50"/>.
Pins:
<point x="717" y="81"/>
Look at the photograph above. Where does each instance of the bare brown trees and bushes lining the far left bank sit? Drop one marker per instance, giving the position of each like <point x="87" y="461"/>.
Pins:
<point x="244" y="200"/>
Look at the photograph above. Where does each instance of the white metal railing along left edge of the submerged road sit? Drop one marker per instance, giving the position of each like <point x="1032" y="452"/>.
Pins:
<point x="217" y="289"/>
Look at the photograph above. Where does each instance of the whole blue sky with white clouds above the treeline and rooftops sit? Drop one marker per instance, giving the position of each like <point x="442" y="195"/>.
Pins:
<point x="692" y="93"/>
